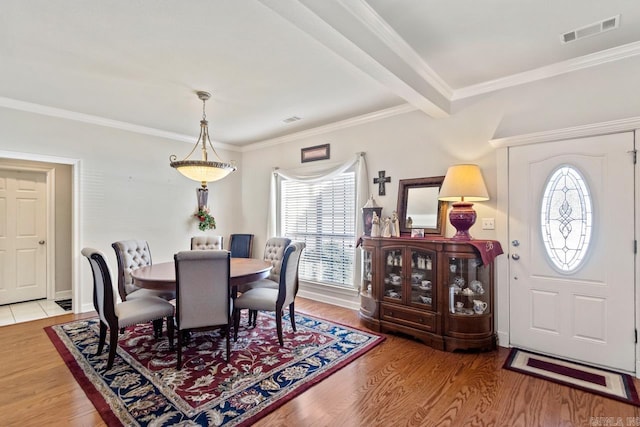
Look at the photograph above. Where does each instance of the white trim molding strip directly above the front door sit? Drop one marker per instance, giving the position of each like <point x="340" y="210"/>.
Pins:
<point x="602" y="128"/>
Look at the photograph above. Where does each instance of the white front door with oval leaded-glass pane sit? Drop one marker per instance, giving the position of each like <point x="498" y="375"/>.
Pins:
<point x="564" y="301"/>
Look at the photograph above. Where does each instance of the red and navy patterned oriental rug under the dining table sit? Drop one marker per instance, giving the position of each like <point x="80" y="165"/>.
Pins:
<point x="143" y="388"/>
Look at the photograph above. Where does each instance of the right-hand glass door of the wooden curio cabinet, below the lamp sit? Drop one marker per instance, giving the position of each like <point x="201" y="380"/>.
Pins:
<point x="469" y="287"/>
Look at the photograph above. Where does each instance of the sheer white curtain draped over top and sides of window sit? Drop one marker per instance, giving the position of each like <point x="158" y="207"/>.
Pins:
<point x="362" y="194"/>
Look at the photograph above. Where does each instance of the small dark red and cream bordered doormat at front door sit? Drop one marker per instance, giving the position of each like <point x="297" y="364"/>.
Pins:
<point x="595" y="380"/>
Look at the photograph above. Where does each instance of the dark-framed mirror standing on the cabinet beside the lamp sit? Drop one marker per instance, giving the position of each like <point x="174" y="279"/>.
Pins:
<point x="418" y="200"/>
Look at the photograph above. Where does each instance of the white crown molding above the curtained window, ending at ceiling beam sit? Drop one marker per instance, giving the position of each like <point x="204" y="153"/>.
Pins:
<point x="332" y="127"/>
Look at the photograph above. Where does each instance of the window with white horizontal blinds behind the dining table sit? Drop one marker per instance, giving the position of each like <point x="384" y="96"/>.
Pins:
<point x="322" y="214"/>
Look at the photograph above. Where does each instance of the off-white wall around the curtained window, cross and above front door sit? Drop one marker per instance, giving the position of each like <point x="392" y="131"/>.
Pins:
<point x="413" y="145"/>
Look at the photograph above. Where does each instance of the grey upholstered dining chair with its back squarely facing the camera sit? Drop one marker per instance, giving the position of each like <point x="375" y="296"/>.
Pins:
<point x="203" y="296"/>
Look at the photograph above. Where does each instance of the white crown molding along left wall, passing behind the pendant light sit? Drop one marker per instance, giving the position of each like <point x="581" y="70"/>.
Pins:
<point x="100" y="121"/>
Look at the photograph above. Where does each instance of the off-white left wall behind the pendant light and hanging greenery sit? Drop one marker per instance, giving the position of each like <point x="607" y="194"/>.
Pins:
<point x="127" y="190"/>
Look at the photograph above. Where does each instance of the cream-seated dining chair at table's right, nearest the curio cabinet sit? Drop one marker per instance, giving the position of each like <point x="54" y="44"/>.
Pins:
<point x="269" y="299"/>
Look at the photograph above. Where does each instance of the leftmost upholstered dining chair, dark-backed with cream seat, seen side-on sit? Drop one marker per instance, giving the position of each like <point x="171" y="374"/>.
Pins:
<point x="116" y="316"/>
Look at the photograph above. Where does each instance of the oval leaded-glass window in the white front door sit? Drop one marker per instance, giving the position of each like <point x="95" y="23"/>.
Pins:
<point x="566" y="218"/>
